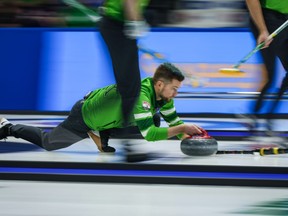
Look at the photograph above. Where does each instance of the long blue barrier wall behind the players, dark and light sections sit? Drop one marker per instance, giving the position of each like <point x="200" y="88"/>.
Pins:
<point x="47" y="69"/>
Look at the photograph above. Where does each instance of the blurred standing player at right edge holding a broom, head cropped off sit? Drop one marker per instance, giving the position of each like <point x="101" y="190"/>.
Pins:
<point x="266" y="17"/>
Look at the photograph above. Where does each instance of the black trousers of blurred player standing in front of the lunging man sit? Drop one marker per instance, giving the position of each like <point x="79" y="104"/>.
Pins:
<point x="124" y="55"/>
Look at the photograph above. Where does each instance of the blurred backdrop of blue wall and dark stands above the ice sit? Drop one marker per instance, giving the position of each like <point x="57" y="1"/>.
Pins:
<point x="51" y="55"/>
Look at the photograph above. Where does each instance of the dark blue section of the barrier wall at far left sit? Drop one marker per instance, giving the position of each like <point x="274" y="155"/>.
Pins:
<point x="20" y="51"/>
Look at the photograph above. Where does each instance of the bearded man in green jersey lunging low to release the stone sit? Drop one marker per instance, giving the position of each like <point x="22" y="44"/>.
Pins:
<point x="101" y="110"/>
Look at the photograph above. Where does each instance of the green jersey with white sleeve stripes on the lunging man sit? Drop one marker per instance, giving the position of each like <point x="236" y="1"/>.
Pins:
<point x="102" y="110"/>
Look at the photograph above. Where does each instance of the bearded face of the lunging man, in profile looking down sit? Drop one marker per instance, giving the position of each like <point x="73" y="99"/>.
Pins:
<point x="168" y="91"/>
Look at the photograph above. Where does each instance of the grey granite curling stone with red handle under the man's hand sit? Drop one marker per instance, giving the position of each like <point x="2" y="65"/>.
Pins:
<point x="199" y="145"/>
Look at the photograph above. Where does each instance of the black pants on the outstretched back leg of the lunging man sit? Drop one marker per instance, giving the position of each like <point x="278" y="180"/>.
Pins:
<point x="70" y="131"/>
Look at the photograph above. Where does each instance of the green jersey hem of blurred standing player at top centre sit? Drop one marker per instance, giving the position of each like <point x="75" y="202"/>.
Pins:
<point x="115" y="9"/>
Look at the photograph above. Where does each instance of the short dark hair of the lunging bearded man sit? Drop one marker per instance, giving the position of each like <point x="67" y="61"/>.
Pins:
<point x="168" y="72"/>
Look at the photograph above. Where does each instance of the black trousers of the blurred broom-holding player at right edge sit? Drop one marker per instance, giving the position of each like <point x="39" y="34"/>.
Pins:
<point x="278" y="48"/>
